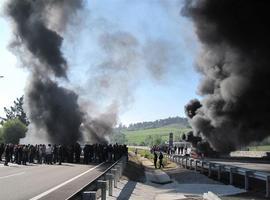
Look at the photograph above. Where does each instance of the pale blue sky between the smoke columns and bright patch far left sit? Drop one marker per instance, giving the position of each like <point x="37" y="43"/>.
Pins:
<point x="142" y="92"/>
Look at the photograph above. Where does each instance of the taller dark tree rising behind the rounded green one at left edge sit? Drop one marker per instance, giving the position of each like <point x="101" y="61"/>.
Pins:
<point x="16" y="112"/>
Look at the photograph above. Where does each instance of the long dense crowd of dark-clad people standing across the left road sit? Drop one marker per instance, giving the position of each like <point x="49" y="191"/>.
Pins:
<point x="56" y="154"/>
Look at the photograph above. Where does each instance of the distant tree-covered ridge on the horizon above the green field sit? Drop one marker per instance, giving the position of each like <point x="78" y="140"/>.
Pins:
<point x="179" y="122"/>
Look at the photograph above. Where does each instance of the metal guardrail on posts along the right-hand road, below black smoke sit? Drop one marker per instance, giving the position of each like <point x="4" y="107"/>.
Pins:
<point x="210" y="167"/>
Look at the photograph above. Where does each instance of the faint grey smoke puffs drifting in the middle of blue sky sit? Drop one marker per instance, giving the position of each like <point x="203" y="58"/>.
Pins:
<point x="125" y="59"/>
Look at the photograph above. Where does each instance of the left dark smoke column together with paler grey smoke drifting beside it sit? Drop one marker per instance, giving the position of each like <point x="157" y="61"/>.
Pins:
<point x="57" y="114"/>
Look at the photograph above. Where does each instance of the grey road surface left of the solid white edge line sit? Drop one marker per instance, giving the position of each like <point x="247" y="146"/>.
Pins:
<point x="19" y="182"/>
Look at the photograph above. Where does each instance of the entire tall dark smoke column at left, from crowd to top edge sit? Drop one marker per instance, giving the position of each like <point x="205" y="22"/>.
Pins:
<point x="53" y="110"/>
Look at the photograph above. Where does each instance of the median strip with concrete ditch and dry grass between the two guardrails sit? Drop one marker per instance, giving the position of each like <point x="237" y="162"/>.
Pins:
<point x="172" y="182"/>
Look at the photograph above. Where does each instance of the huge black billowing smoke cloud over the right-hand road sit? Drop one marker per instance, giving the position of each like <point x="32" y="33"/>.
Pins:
<point x="234" y="63"/>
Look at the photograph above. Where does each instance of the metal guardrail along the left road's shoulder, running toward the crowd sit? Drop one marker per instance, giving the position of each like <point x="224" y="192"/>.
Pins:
<point x="103" y="182"/>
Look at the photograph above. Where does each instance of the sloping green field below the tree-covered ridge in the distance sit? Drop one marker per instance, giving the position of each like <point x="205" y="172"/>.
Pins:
<point x="140" y="137"/>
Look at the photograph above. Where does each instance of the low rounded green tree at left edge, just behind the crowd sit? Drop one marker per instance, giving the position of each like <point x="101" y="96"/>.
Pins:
<point x="13" y="130"/>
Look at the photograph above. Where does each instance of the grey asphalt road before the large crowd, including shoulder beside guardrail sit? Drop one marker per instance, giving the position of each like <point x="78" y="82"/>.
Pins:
<point x="19" y="182"/>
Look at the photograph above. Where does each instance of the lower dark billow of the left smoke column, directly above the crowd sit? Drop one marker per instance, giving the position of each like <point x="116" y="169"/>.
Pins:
<point x="56" y="110"/>
